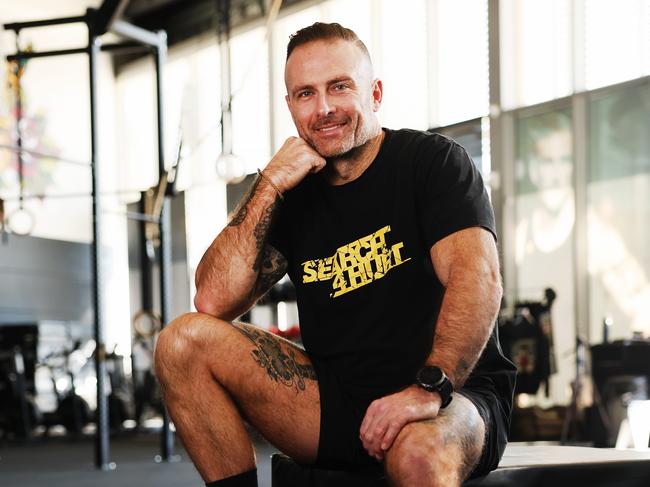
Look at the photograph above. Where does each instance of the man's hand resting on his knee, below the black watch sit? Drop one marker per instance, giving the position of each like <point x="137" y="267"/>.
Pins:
<point x="386" y="417"/>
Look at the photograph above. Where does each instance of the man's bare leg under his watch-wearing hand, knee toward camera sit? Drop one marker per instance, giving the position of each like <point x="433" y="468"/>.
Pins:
<point x="438" y="452"/>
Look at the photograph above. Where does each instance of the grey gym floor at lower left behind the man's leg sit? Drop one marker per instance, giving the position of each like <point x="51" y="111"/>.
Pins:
<point x="63" y="462"/>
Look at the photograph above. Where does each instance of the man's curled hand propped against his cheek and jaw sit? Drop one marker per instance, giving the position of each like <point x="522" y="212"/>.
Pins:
<point x="295" y="159"/>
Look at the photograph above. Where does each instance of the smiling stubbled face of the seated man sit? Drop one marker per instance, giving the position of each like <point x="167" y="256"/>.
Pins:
<point x="332" y="96"/>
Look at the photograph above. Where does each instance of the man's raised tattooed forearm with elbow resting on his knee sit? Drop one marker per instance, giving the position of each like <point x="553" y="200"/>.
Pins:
<point x="228" y="274"/>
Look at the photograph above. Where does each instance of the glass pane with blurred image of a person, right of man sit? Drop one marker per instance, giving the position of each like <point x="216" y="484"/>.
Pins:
<point x="545" y="216"/>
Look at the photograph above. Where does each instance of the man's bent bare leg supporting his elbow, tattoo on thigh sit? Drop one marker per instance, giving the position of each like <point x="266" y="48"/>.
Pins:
<point x="216" y="374"/>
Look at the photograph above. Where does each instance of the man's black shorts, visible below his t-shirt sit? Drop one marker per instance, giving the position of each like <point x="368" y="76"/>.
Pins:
<point x="342" y="413"/>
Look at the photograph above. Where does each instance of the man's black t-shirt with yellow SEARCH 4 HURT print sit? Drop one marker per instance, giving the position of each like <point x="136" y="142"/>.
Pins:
<point x="358" y="255"/>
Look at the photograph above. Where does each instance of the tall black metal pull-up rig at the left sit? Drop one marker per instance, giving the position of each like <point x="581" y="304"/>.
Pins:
<point x="98" y="22"/>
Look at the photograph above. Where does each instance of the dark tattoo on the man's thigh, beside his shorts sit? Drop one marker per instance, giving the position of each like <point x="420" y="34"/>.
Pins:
<point x="280" y="365"/>
